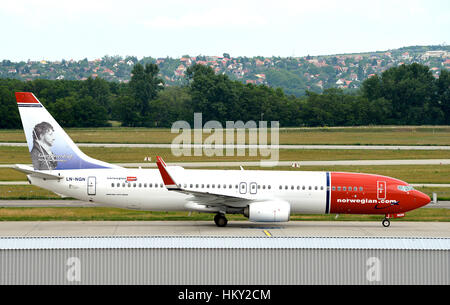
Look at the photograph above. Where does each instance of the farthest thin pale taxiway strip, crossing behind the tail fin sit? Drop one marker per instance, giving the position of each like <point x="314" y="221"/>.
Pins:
<point x="237" y="146"/>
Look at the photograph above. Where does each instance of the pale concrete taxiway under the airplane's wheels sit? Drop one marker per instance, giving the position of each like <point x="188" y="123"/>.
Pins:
<point x="234" y="229"/>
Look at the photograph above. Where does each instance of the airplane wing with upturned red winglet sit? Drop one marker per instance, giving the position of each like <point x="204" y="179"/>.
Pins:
<point x="200" y="197"/>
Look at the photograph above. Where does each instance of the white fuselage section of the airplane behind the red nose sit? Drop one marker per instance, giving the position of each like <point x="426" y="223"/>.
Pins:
<point x="143" y="189"/>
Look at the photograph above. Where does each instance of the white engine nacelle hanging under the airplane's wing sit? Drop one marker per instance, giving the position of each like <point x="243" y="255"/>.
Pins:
<point x="268" y="211"/>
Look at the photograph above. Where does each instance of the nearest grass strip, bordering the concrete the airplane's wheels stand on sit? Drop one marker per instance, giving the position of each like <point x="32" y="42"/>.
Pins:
<point x="114" y="214"/>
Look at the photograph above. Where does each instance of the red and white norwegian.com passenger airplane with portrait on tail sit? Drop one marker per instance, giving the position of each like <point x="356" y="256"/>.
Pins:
<point x="260" y="195"/>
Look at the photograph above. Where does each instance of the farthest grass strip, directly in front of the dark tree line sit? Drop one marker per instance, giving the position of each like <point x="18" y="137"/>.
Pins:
<point x="397" y="135"/>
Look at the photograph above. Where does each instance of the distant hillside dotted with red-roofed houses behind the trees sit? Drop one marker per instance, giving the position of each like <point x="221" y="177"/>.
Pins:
<point x="294" y="74"/>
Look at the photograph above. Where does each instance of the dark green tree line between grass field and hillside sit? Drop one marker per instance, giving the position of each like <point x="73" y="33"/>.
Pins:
<point x="404" y="95"/>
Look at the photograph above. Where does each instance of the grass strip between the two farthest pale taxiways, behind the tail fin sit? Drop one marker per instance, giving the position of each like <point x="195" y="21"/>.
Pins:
<point x="13" y="155"/>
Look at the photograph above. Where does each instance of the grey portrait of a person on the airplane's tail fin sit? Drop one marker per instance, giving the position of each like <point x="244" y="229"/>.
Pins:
<point x="41" y="154"/>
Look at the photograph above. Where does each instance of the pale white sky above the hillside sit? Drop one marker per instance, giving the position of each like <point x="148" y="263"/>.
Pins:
<point x="53" y="30"/>
